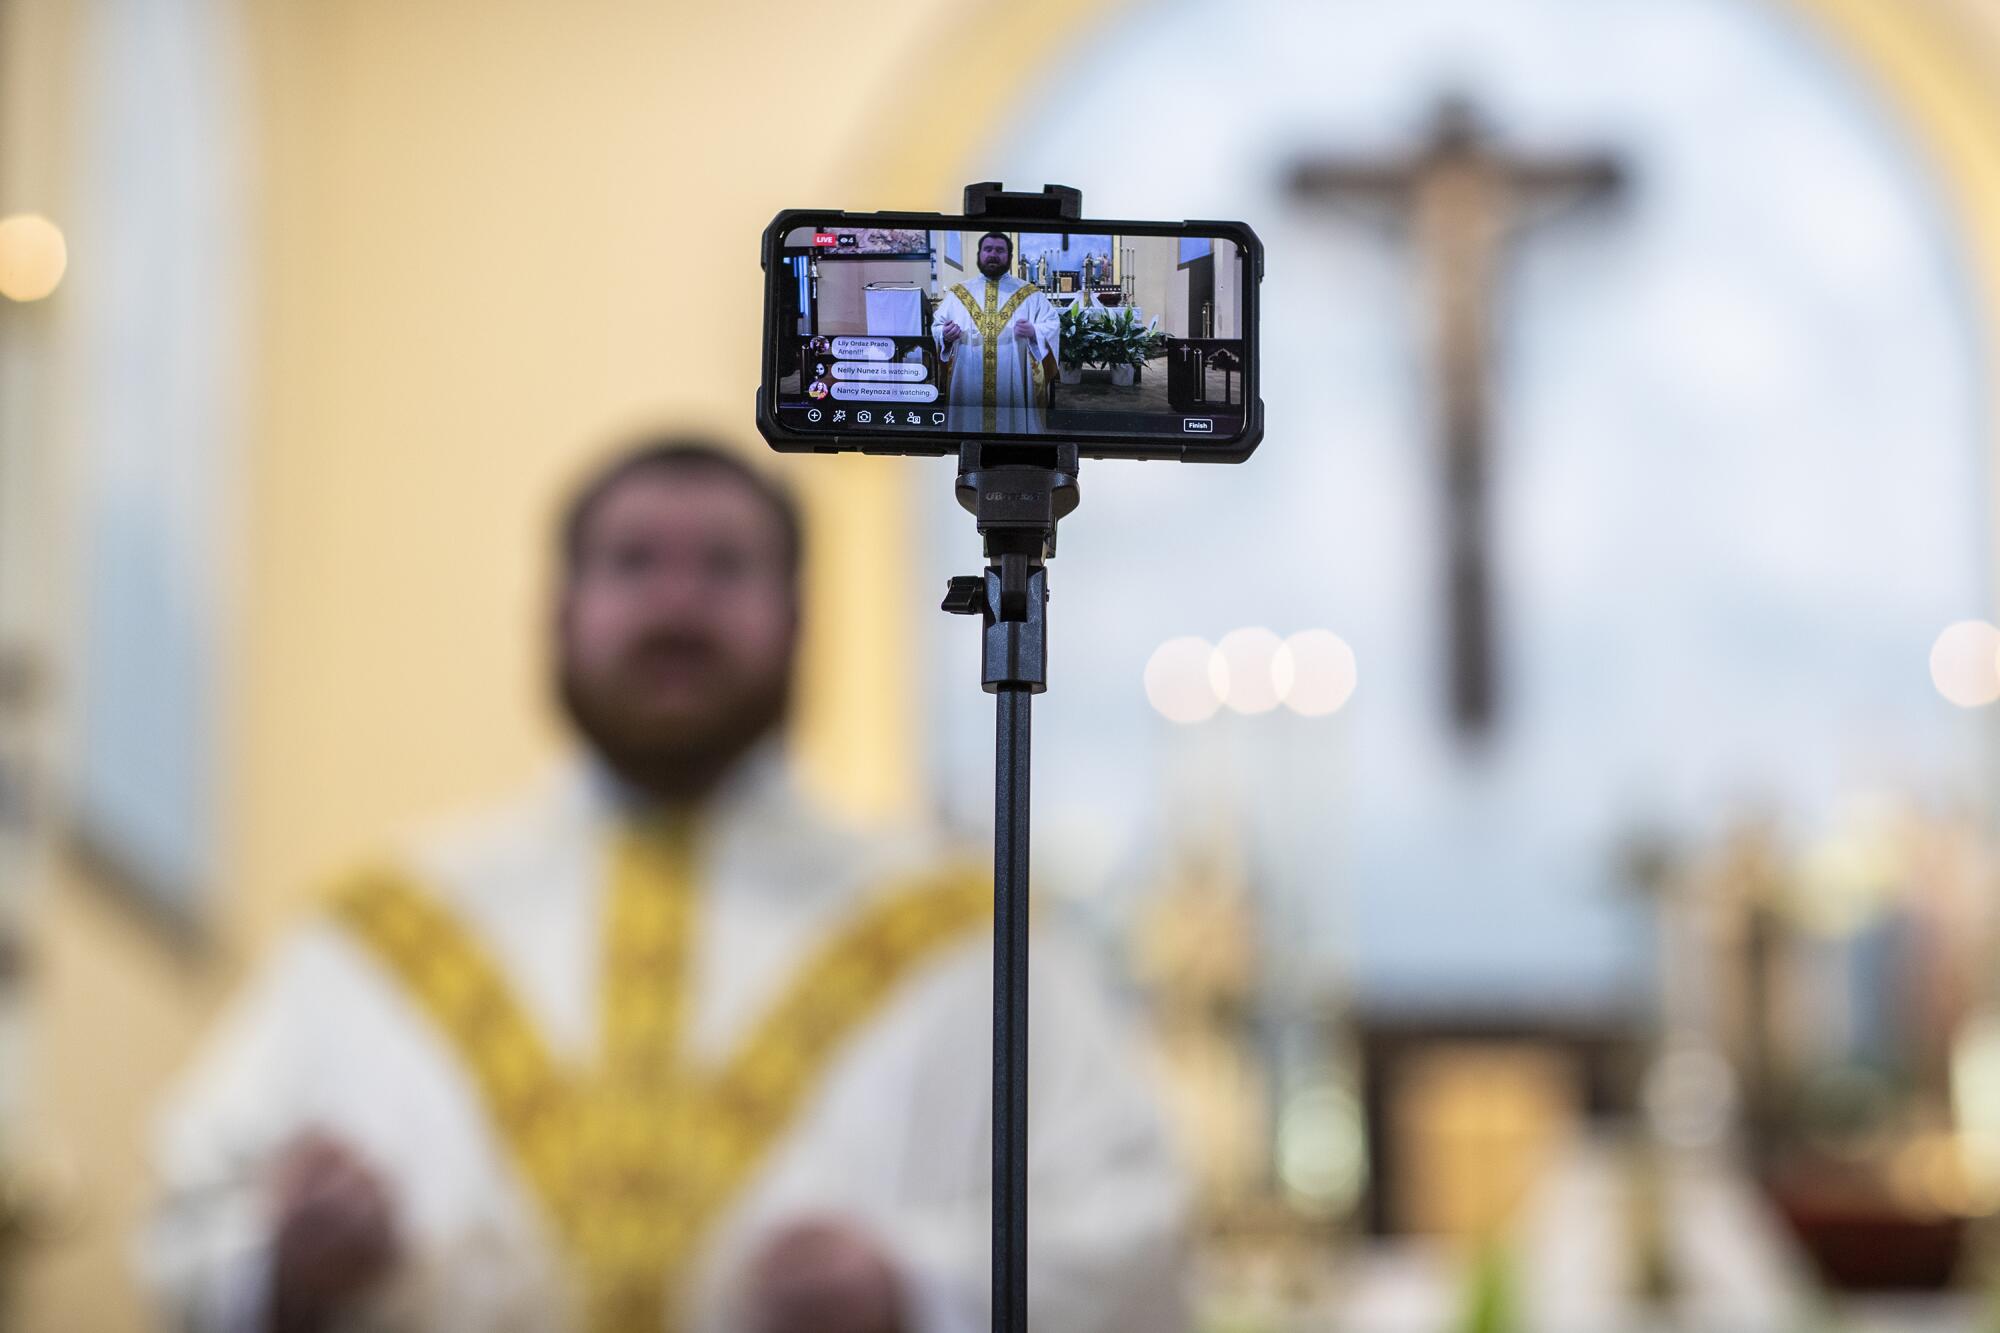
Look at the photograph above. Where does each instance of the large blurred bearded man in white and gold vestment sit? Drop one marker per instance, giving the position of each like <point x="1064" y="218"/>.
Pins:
<point x="659" y="1048"/>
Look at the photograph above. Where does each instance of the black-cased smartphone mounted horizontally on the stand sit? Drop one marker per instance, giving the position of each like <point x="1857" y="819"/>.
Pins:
<point x="905" y="333"/>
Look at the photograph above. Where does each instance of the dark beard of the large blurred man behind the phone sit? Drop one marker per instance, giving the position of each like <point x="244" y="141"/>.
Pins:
<point x="679" y="758"/>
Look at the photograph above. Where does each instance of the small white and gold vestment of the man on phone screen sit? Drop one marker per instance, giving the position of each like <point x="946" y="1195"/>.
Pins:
<point x="989" y="381"/>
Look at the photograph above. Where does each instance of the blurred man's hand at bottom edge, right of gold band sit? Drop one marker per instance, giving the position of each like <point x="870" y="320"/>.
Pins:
<point x="825" y="1278"/>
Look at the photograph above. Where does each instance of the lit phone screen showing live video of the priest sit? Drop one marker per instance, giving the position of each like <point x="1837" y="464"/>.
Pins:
<point x="1011" y="333"/>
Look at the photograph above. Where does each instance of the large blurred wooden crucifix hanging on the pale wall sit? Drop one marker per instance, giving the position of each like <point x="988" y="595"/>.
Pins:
<point x="1465" y="199"/>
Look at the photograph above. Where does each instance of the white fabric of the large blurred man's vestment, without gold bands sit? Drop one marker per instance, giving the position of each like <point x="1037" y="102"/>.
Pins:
<point x="895" y="1134"/>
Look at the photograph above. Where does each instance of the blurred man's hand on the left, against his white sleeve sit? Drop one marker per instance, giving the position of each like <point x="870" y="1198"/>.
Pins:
<point x="337" y="1234"/>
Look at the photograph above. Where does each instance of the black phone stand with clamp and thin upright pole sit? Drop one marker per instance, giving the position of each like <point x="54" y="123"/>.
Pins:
<point x="1017" y="493"/>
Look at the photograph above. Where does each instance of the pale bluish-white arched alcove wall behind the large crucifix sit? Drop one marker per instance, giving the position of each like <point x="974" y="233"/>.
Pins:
<point x="1739" y="481"/>
